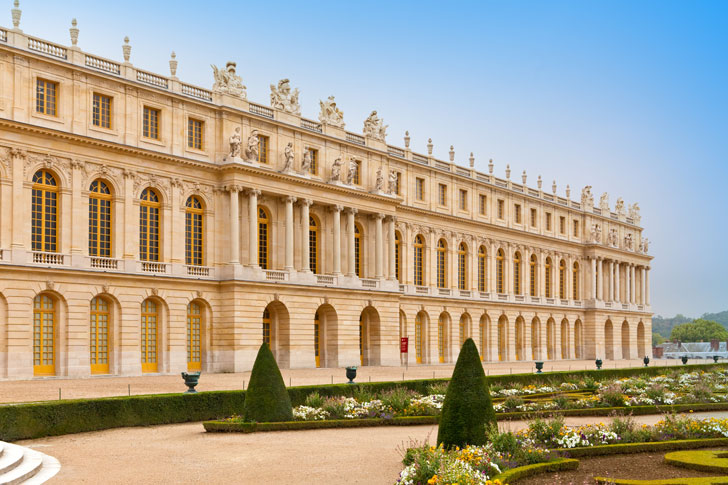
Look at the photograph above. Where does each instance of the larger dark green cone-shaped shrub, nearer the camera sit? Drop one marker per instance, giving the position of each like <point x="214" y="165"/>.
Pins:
<point x="467" y="409"/>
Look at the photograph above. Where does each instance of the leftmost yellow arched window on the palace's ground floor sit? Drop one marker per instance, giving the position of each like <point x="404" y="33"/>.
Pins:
<point x="44" y="336"/>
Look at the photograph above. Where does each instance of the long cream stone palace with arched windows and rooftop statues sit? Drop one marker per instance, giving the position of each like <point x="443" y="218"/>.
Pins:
<point x="153" y="226"/>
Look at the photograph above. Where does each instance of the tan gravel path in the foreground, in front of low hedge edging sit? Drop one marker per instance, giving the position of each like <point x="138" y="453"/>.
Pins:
<point x="184" y="453"/>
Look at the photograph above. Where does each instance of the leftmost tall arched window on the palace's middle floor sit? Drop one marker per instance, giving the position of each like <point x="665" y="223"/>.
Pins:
<point x="44" y="212"/>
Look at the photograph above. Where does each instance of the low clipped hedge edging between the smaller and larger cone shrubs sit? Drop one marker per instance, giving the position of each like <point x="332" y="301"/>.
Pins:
<point x="227" y="427"/>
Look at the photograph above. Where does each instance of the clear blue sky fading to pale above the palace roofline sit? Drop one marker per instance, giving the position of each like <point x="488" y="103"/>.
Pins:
<point x="629" y="97"/>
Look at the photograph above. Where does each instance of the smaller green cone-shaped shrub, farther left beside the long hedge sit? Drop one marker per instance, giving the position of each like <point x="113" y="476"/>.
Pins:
<point x="266" y="399"/>
